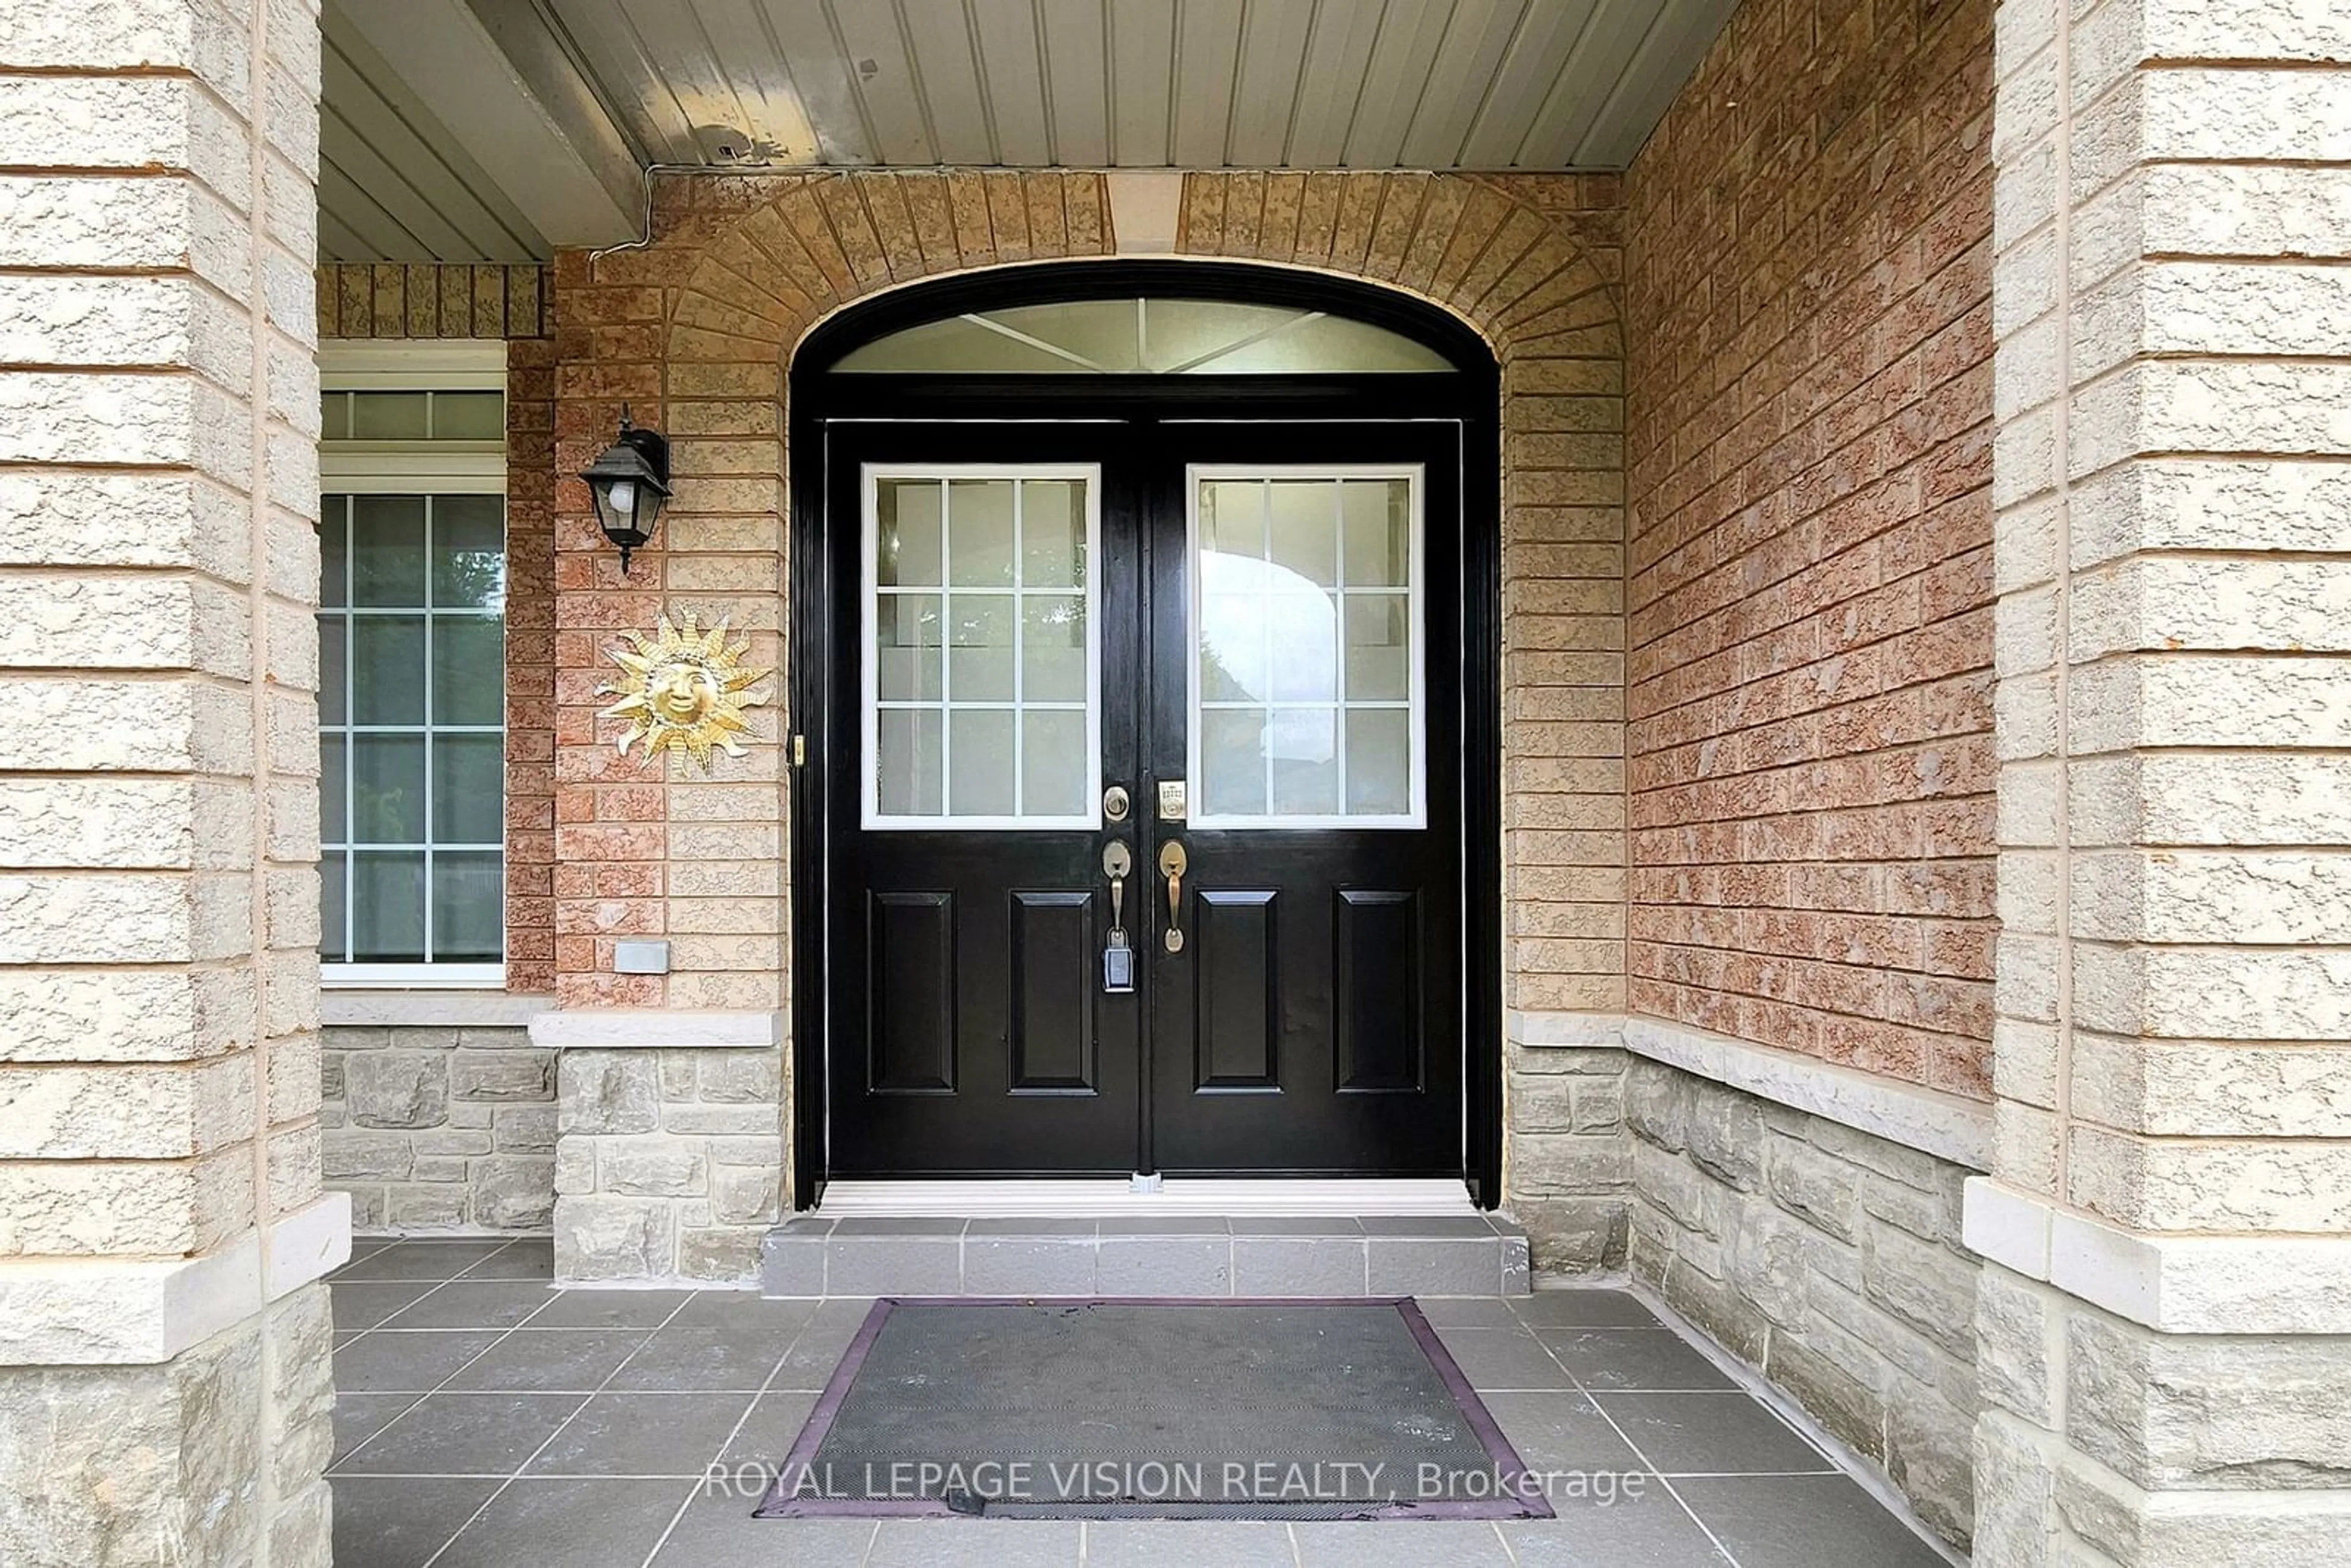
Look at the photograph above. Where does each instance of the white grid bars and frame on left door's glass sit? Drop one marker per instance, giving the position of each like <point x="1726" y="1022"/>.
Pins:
<point x="1019" y="591"/>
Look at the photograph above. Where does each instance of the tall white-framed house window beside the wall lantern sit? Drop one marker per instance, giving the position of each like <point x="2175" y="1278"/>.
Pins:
<point x="413" y="664"/>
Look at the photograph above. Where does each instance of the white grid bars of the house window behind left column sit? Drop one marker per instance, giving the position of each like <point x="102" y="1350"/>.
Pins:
<point x="349" y="850"/>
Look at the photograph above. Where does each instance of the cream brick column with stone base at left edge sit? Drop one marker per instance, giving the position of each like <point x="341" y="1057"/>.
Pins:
<point x="163" y="1336"/>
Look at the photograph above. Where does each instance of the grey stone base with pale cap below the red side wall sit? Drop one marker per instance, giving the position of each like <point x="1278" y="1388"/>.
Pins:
<point x="1771" y="1209"/>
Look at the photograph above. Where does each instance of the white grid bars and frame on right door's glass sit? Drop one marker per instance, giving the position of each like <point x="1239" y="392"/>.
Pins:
<point x="1264" y="478"/>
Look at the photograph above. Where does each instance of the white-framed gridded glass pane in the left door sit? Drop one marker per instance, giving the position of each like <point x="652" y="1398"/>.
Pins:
<point x="982" y="648"/>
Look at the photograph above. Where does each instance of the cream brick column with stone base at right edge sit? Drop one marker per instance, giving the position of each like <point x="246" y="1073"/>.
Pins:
<point x="2166" y="1315"/>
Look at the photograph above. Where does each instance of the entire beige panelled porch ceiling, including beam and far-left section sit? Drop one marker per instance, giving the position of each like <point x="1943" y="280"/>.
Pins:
<point x="493" y="130"/>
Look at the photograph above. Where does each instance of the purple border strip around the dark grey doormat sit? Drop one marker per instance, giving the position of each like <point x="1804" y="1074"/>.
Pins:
<point x="1506" y="1459"/>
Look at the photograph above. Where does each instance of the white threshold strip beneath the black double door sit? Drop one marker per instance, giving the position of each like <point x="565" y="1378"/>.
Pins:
<point x="1118" y="1198"/>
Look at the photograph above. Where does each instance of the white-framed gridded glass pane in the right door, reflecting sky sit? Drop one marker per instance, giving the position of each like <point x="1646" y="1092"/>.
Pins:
<point x="1306" y="666"/>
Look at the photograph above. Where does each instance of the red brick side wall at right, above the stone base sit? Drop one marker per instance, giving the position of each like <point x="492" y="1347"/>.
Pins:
<point x="1809" y="542"/>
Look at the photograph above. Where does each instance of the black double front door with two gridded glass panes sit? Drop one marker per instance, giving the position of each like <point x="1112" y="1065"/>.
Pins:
<point x="1144" y="798"/>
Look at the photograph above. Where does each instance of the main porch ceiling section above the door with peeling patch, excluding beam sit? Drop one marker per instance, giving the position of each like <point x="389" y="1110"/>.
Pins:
<point x="1144" y="83"/>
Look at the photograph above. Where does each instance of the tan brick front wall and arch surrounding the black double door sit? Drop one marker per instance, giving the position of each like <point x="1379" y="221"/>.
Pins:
<point x="704" y="323"/>
